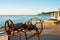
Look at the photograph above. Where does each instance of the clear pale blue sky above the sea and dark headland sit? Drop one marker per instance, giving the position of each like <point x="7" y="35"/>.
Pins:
<point x="27" y="7"/>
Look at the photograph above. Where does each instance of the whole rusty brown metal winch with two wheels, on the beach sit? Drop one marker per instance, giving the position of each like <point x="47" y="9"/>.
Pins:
<point x="32" y="24"/>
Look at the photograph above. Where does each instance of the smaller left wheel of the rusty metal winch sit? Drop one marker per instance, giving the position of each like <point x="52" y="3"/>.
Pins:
<point x="10" y="25"/>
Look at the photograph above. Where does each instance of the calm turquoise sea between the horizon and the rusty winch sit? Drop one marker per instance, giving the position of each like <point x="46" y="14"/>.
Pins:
<point x="21" y="18"/>
